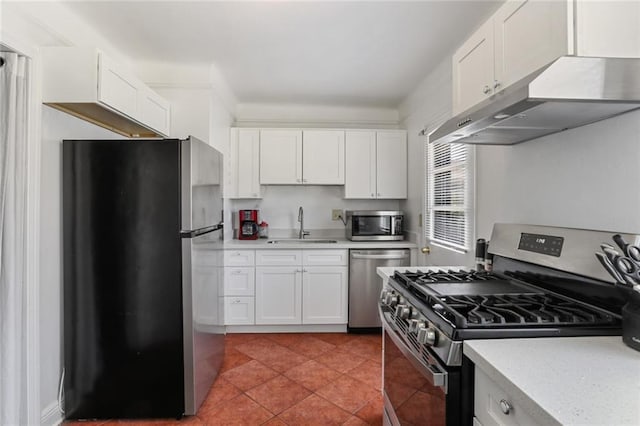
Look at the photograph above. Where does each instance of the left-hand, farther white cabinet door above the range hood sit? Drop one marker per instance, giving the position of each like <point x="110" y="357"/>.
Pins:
<point x="473" y="69"/>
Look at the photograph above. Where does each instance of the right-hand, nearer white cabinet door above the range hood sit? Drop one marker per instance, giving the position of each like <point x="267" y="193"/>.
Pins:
<point x="528" y="35"/>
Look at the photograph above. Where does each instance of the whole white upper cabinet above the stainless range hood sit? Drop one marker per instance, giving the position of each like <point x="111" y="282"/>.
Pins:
<point x="525" y="35"/>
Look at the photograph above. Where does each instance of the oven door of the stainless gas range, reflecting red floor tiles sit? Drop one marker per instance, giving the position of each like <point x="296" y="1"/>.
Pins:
<point x="418" y="390"/>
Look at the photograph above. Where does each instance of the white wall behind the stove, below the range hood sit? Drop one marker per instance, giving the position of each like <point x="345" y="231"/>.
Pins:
<point x="583" y="178"/>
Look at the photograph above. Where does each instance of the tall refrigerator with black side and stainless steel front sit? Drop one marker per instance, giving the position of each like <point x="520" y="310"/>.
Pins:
<point x="143" y="328"/>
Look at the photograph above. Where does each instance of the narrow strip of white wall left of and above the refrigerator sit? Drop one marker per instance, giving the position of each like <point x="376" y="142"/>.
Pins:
<point x="56" y="126"/>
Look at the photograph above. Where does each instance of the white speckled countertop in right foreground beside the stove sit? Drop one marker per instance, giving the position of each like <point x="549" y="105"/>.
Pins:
<point x="565" y="380"/>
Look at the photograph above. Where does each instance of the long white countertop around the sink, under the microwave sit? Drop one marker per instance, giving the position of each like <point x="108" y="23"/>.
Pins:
<point x="342" y="243"/>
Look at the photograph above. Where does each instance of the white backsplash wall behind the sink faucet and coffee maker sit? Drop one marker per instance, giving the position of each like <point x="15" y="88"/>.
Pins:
<point x="279" y="207"/>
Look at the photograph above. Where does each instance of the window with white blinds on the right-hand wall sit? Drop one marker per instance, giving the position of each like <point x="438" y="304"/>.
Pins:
<point x="449" y="195"/>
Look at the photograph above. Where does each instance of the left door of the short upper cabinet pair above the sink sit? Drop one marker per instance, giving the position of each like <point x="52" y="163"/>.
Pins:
<point x="280" y="157"/>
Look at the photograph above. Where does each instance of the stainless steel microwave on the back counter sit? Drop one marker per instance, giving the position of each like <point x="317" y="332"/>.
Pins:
<point x="374" y="225"/>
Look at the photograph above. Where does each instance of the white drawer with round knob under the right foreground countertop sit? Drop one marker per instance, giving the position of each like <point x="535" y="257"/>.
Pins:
<point x="493" y="407"/>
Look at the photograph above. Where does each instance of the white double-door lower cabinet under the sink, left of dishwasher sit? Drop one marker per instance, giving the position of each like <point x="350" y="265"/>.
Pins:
<point x="301" y="287"/>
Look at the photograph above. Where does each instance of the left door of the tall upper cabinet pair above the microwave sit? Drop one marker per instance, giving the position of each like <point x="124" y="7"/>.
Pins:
<point x="360" y="164"/>
